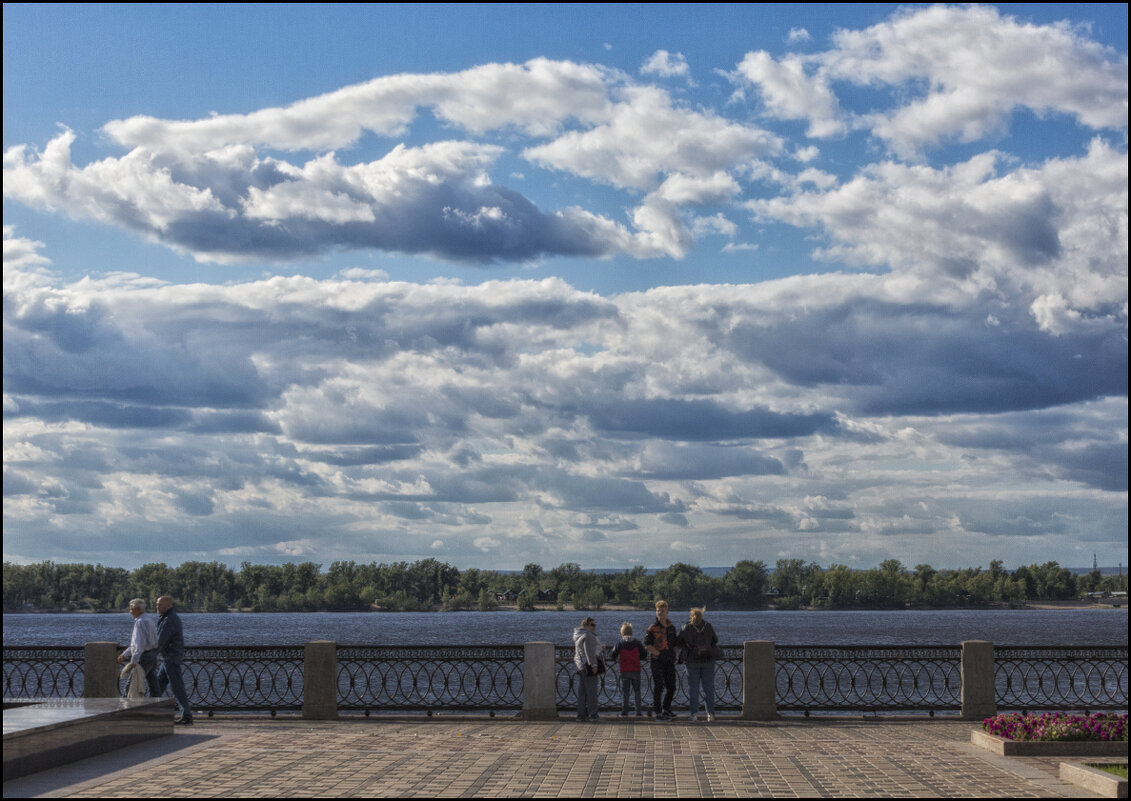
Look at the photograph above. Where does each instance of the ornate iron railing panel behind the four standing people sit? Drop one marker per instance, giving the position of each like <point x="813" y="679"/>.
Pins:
<point x="728" y="683"/>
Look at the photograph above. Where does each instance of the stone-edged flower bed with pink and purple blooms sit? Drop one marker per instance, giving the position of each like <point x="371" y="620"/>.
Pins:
<point x="1055" y="735"/>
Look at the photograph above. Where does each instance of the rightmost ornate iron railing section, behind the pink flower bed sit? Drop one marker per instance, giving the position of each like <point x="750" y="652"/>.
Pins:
<point x="1048" y="678"/>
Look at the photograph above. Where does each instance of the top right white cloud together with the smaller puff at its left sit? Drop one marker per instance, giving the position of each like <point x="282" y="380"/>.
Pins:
<point x="978" y="67"/>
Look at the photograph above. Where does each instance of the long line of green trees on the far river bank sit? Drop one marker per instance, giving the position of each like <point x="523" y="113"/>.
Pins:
<point x="433" y="585"/>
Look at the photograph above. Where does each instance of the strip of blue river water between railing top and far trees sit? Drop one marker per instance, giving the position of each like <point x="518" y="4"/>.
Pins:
<point x="1067" y="627"/>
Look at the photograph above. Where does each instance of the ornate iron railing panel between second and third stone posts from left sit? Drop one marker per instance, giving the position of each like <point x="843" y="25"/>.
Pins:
<point x="428" y="678"/>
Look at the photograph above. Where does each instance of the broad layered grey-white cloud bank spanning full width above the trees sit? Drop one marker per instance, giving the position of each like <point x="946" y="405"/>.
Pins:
<point x="356" y="404"/>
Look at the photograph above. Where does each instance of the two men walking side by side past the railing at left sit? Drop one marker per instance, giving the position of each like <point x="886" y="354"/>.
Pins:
<point x="149" y="641"/>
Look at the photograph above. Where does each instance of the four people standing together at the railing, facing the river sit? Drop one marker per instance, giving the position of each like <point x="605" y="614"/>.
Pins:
<point x="696" y="645"/>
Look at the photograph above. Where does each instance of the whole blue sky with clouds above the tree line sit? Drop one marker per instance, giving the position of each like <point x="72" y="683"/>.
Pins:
<point x="607" y="285"/>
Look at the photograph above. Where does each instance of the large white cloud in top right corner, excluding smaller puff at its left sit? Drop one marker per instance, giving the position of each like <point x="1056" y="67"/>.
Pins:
<point x="979" y="66"/>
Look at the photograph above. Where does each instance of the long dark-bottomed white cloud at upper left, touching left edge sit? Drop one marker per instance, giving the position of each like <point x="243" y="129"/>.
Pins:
<point x="436" y="200"/>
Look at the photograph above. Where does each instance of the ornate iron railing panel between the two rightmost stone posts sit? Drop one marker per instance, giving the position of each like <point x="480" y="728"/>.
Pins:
<point x="868" y="678"/>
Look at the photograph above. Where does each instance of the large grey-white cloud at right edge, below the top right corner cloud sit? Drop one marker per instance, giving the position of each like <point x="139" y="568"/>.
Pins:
<point x="1031" y="232"/>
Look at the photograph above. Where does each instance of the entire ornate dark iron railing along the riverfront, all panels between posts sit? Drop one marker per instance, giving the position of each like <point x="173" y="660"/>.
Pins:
<point x="491" y="678"/>
